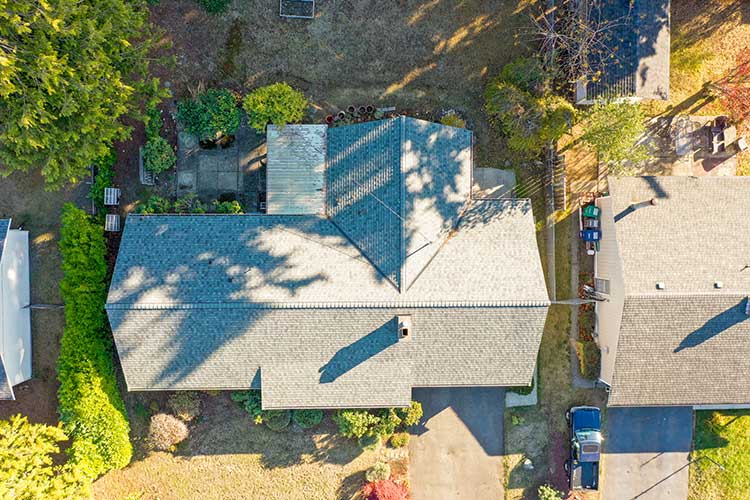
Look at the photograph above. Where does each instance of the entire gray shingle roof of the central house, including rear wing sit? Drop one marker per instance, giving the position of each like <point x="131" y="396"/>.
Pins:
<point x="295" y="305"/>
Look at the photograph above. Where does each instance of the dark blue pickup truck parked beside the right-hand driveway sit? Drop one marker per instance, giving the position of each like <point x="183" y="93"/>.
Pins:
<point x="585" y="447"/>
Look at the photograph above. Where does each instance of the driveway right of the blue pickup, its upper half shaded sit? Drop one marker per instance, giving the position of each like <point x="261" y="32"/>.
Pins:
<point x="646" y="453"/>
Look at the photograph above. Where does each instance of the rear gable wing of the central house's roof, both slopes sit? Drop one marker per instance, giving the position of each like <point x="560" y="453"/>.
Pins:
<point x="396" y="188"/>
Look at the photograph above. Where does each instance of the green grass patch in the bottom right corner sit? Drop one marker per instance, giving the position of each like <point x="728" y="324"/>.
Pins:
<point x="723" y="436"/>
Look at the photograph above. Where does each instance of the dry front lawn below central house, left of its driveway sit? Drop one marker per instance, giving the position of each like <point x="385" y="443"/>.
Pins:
<point x="228" y="456"/>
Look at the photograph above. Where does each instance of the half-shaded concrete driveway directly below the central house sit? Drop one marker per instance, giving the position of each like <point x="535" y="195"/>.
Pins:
<point x="458" y="452"/>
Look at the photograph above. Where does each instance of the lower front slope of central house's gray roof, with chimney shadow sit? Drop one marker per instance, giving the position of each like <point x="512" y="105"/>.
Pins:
<point x="353" y="354"/>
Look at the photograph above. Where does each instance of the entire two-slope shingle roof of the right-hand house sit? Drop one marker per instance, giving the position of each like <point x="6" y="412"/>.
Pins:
<point x="688" y="344"/>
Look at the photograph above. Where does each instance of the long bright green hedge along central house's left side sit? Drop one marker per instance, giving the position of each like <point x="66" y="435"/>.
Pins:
<point x="90" y="404"/>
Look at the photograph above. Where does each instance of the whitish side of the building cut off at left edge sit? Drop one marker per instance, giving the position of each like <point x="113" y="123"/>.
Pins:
<point x="15" y="319"/>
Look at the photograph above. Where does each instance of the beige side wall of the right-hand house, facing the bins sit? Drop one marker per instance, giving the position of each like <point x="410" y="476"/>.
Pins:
<point x="608" y="265"/>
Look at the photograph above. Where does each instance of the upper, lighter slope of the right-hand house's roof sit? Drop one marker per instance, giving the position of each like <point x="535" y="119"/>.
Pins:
<point x="696" y="235"/>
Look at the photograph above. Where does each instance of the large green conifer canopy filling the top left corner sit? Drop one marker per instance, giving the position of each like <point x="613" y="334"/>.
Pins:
<point x="69" y="70"/>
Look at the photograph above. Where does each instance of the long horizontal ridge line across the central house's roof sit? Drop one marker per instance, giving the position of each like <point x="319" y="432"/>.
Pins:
<point x="334" y="305"/>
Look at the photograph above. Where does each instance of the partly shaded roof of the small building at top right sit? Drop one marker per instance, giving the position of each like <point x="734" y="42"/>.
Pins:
<point x="633" y="60"/>
